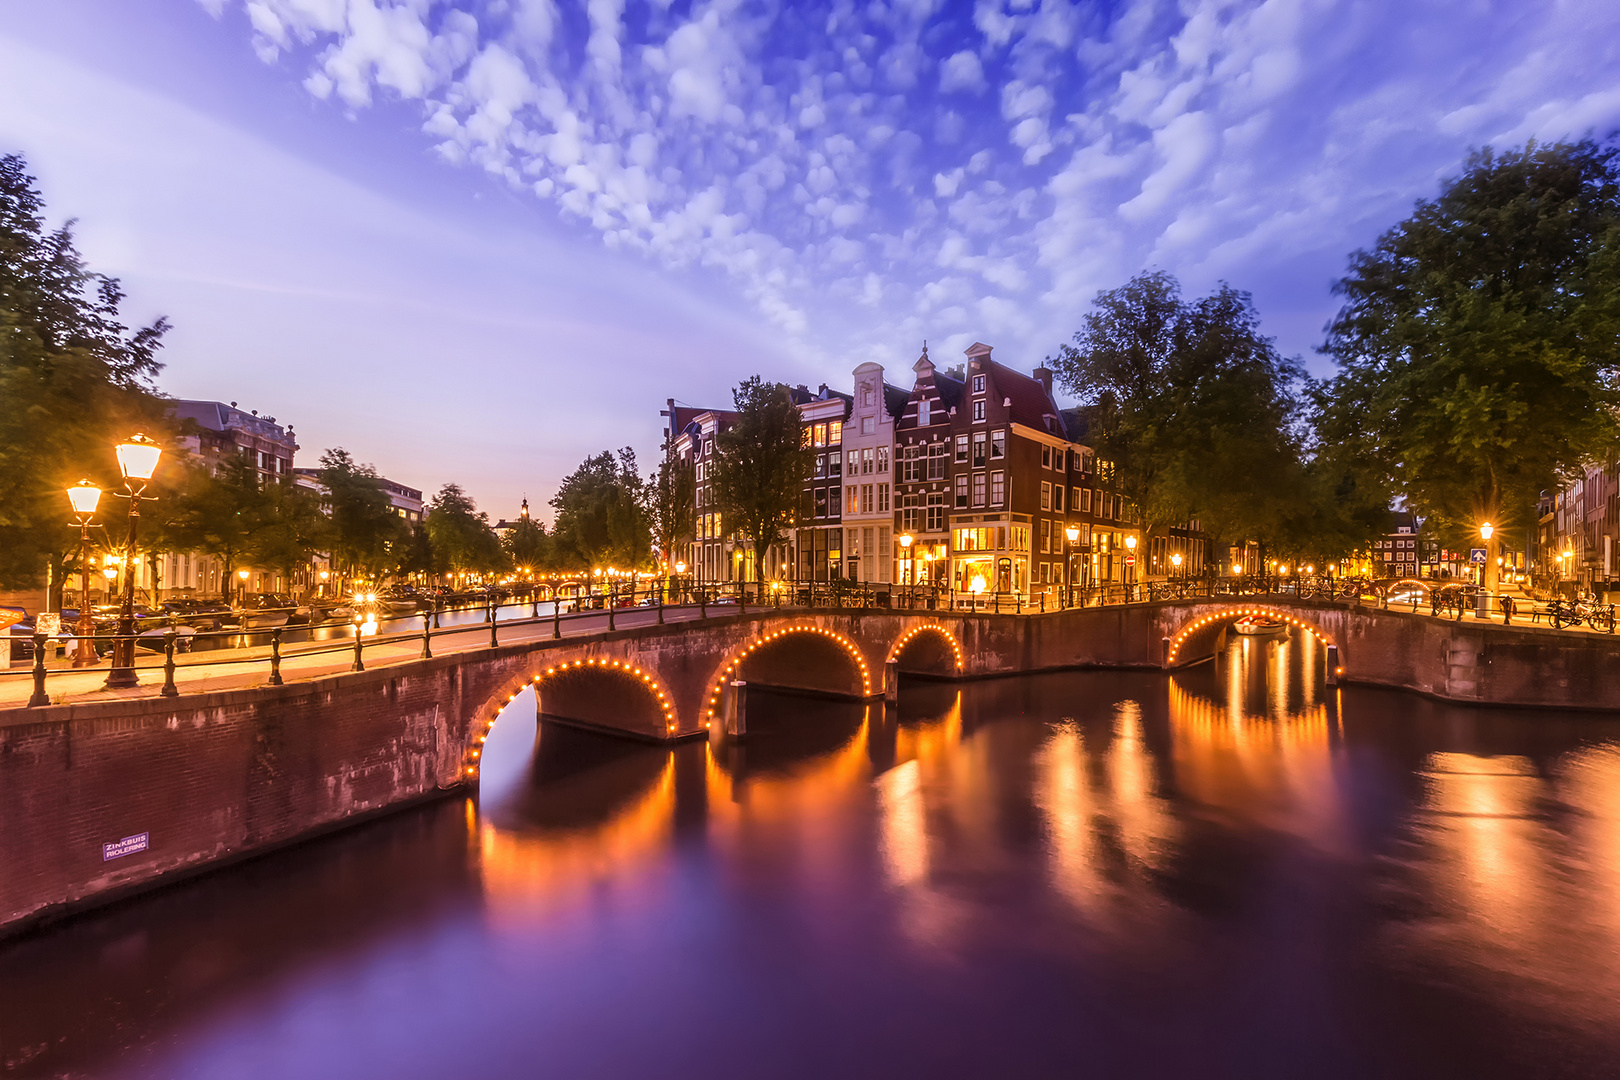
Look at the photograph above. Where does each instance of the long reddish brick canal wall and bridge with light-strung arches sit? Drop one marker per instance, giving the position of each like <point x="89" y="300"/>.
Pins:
<point x="203" y="780"/>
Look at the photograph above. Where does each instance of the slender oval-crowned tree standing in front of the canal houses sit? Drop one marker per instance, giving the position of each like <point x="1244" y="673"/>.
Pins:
<point x="761" y="467"/>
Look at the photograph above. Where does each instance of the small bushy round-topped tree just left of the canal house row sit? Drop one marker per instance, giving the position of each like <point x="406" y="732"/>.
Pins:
<point x="602" y="517"/>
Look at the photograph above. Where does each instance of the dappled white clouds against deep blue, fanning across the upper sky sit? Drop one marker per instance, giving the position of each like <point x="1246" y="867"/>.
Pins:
<point x="871" y="176"/>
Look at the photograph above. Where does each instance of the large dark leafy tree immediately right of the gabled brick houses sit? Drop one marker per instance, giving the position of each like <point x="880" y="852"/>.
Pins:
<point x="1192" y="406"/>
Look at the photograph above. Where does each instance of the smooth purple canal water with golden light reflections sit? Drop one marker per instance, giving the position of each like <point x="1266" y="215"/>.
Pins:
<point x="1229" y="874"/>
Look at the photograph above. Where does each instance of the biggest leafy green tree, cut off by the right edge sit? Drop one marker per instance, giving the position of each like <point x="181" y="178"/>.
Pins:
<point x="1480" y="341"/>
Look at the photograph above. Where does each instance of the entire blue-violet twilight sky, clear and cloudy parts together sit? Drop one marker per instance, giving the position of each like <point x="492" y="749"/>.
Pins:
<point x="477" y="242"/>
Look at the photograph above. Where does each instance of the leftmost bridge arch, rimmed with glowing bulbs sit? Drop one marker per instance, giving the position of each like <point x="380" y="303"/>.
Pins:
<point x="573" y="691"/>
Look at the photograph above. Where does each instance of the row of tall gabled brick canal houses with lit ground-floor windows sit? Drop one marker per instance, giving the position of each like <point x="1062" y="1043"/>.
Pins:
<point x="970" y="480"/>
